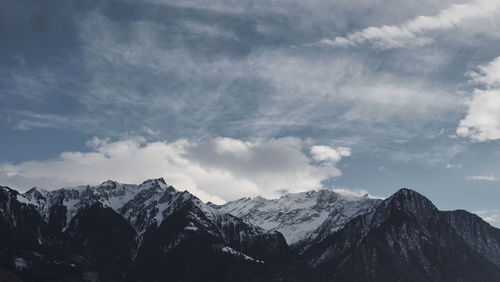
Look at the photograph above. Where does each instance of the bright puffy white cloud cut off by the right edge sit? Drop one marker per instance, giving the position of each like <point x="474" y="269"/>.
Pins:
<point x="482" y="122"/>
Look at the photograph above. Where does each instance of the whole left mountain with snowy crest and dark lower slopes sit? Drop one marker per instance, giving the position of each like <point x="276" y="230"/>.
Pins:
<point x="120" y="232"/>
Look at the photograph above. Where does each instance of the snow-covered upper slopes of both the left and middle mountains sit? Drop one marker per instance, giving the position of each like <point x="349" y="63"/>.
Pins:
<point x="300" y="217"/>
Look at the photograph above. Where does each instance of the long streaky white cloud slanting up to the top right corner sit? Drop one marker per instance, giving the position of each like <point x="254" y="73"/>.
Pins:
<point x="411" y="32"/>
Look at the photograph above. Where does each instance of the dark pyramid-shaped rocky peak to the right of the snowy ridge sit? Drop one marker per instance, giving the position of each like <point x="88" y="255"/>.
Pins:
<point x="404" y="239"/>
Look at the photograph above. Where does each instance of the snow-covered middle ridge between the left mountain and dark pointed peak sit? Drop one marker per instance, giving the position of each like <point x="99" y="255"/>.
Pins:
<point x="301" y="217"/>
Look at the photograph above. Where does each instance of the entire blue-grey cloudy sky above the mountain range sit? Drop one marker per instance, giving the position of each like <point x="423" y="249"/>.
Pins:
<point x="229" y="98"/>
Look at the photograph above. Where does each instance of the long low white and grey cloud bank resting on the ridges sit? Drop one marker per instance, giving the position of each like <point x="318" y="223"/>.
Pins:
<point x="215" y="170"/>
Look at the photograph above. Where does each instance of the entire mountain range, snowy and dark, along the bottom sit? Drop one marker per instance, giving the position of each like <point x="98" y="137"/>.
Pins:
<point x="153" y="232"/>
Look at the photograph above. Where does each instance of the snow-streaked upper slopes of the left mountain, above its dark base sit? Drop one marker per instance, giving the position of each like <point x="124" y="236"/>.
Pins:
<point x="141" y="205"/>
